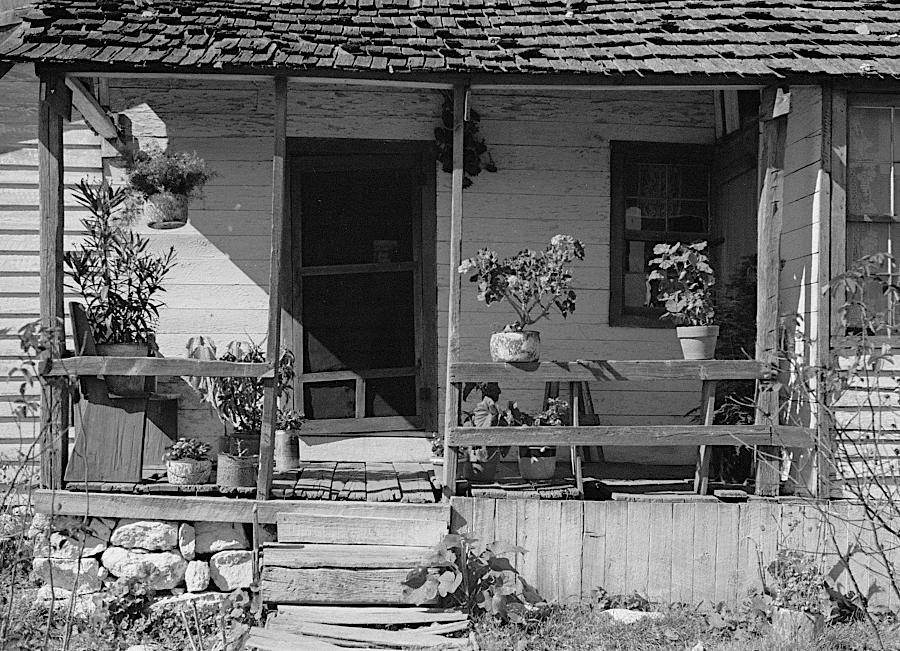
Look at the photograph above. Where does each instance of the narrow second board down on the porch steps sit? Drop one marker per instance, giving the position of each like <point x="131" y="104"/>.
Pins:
<point x="346" y="556"/>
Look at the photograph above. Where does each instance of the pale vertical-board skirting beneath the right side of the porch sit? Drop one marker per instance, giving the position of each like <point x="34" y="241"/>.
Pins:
<point x="685" y="552"/>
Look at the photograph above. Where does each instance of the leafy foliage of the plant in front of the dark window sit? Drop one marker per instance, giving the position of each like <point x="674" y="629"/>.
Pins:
<point x="685" y="279"/>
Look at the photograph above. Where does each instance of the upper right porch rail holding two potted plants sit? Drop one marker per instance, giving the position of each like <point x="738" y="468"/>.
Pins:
<point x="611" y="371"/>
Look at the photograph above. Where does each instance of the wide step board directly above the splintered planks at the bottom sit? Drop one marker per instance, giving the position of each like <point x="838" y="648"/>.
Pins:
<point x="333" y="586"/>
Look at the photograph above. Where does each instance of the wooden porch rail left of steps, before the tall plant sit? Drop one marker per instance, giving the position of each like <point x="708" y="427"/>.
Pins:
<point x="153" y="366"/>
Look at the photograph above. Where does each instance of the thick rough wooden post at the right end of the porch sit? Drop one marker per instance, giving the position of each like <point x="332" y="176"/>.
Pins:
<point x="773" y="132"/>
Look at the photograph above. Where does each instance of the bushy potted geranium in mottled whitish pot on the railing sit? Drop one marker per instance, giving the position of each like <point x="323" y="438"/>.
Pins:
<point x="534" y="283"/>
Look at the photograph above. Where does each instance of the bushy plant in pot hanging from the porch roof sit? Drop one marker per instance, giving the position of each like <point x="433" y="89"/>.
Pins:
<point x="165" y="182"/>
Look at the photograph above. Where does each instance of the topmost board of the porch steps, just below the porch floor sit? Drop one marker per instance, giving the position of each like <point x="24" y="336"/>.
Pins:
<point x="355" y="530"/>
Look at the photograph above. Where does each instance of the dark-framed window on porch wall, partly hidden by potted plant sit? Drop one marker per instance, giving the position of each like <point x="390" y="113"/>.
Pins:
<point x="660" y="193"/>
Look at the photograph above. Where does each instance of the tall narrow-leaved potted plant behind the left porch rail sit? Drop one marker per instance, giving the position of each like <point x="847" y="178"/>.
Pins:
<point x="119" y="280"/>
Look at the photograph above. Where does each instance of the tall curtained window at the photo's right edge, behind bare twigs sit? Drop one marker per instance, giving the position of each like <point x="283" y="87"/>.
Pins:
<point x="873" y="192"/>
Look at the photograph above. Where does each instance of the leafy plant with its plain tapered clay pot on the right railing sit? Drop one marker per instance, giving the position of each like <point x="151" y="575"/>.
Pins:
<point x="685" y="279"/>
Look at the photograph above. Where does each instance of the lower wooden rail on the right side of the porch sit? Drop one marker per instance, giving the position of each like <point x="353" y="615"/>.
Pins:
<point x="630" y="435"/>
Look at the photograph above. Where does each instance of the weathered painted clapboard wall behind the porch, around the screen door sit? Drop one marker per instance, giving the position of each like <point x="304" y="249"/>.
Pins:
<point x="552" y="152"/>
